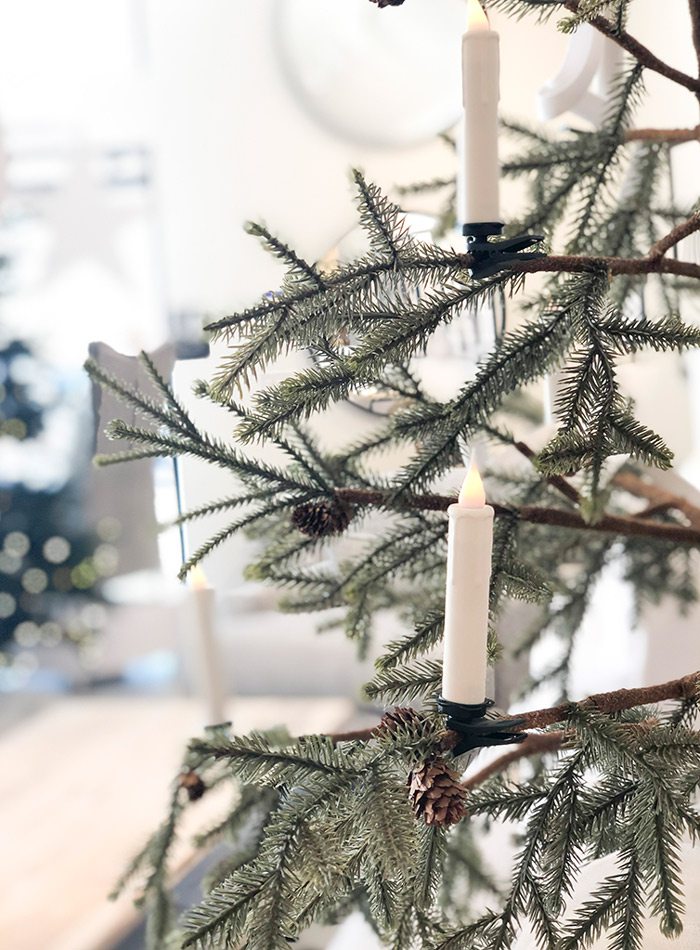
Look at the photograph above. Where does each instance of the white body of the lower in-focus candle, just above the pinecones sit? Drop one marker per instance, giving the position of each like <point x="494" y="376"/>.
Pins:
<point x="469" y="542"/>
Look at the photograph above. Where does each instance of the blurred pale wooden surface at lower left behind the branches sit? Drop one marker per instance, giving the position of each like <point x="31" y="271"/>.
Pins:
<point x="82" y="783"/>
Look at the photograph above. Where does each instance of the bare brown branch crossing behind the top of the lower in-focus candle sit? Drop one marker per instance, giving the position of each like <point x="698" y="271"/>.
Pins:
<point x="624" y="525"/>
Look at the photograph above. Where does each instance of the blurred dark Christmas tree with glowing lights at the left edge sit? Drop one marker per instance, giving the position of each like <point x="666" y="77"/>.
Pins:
<point x="50" y="562"/>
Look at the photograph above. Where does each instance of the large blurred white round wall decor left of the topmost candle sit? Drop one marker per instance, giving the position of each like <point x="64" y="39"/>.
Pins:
<point x="342" y="60"/>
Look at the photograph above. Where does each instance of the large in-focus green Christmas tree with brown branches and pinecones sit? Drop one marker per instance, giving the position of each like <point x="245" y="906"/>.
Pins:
<point x="381" y="819"/>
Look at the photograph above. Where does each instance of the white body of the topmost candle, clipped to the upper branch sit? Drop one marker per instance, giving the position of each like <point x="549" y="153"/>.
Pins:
<point x="478" y="181"/>
